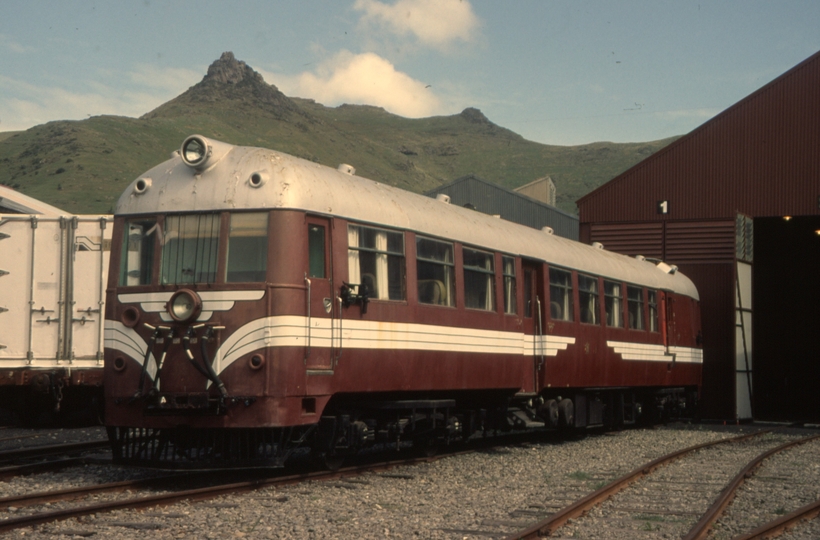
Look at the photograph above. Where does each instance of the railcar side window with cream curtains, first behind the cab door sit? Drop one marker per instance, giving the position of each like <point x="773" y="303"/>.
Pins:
<point x="376" y="262"/>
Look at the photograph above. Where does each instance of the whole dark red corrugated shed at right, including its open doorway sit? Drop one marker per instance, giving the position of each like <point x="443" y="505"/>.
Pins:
<point x="711" y="202"/>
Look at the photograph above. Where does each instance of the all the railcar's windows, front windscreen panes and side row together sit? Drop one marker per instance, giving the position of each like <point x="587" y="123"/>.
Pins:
<point x="376" y="263"/>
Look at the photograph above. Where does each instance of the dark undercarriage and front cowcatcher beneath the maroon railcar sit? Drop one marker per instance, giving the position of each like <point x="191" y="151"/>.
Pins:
<point x="351" y="425"/>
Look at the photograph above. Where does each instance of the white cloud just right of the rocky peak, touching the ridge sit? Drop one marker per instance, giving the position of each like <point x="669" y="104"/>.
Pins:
<point x="362" y="79"/>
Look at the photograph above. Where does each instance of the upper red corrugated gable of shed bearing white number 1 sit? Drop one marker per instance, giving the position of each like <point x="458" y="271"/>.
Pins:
<point x="759" y="157"/>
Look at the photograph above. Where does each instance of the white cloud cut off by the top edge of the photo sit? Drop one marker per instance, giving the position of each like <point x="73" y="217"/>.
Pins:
<point x="435" y="23"/>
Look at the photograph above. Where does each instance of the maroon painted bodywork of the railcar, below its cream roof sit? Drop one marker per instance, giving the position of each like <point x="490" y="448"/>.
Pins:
<point x="290" y="385"/>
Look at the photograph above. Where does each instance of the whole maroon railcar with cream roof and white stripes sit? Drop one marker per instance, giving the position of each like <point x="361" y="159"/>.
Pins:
<point x="259" y="302"/>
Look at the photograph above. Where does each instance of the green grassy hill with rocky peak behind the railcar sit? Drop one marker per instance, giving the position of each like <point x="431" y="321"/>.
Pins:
<point x="83" y="166"/>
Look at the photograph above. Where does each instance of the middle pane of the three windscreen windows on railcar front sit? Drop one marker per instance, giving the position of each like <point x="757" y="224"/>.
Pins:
<point x="190" y="249"/>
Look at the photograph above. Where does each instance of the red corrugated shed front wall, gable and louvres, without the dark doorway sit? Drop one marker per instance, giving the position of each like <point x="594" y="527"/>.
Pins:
<point x="761" y="158"/>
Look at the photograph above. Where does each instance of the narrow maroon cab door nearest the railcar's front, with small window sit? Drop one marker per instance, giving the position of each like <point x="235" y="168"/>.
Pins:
<point x="321" y="323"/>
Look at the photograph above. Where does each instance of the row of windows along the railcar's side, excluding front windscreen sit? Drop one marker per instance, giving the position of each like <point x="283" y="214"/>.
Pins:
<point x="376" y="265"/>
